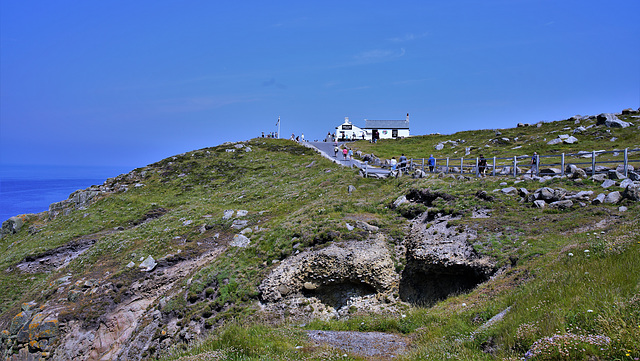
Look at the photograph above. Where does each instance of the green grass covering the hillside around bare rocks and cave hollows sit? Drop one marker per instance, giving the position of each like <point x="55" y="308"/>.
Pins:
<point x="550" y="292"/>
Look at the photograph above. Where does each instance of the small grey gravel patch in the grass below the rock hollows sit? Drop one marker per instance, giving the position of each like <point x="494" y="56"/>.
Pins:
<point x="373" y="345"/>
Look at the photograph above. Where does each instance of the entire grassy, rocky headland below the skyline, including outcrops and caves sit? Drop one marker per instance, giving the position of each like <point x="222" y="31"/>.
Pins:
<point x="198" y="253"/>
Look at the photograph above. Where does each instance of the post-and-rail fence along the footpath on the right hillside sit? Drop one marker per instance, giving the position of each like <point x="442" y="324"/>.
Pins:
<point x="509" y="165"/>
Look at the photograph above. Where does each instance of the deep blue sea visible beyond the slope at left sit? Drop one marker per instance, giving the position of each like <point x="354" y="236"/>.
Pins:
<point x="31" y="189"/>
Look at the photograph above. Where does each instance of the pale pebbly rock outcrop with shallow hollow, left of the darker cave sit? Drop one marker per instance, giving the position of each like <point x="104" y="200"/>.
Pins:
<point x="334" y="278"/>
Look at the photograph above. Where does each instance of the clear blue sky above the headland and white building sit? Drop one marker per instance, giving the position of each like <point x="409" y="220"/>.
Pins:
<point x="131" y="82"/>
